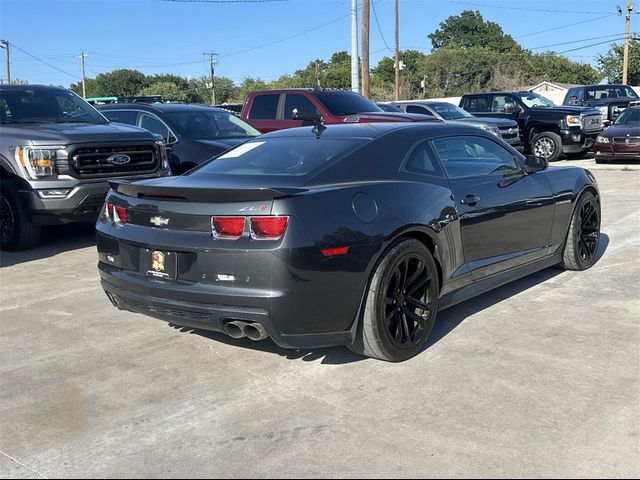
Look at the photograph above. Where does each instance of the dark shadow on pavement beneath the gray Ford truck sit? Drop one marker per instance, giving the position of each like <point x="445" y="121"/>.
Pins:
<point x="54" y="240"/>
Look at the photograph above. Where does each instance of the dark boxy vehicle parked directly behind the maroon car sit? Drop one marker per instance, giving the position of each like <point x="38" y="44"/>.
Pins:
<point x="611" y="100"/>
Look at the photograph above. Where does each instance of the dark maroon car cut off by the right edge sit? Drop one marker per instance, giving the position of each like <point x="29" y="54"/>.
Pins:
<point x="621" y="141"/>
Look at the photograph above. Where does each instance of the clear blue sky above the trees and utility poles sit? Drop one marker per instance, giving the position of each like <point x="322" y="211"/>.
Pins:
<point x="266" y="38"/>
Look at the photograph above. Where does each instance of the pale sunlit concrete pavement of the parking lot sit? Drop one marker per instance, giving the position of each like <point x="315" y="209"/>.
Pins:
<point x="540" y="378"/>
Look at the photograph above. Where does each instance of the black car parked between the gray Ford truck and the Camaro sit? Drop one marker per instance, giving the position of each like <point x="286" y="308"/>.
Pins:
<point x="194" y="133"/>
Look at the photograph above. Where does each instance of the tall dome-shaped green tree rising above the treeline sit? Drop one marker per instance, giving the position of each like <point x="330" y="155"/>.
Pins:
<point x="469" y="30"/>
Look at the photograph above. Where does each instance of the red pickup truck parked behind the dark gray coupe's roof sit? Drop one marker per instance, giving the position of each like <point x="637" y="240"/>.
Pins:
<point x="270" y="110"/>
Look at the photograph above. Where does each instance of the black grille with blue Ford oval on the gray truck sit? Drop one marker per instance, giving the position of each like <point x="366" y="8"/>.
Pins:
<point x="88" y="162"/>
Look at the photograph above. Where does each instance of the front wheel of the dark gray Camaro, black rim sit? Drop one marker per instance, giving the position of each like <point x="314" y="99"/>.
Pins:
<point x="583" y="237"/>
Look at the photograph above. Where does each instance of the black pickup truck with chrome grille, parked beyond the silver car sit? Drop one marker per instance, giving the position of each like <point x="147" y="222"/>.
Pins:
<point x="546" y="129"/>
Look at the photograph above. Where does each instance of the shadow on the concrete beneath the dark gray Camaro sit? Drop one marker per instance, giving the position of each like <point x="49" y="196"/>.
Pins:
<point x="446" y="322"/>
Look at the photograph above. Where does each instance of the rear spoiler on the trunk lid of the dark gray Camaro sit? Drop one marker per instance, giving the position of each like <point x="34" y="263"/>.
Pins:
<point x="189" y="194"/>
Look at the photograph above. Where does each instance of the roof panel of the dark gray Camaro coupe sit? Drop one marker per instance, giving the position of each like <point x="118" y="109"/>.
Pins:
<point x="374" y="130"/>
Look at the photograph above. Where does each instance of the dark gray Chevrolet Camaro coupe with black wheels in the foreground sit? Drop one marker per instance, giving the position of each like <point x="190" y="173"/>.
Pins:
<point x="348" y="235"/>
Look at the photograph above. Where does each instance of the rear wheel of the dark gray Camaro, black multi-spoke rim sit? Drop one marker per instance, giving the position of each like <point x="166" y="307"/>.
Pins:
<point x="397" y="321"/>
